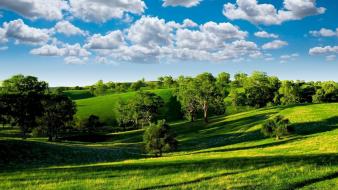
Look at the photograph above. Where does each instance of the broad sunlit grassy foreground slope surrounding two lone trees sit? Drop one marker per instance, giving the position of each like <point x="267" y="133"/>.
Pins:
<point x="228" y="153"/>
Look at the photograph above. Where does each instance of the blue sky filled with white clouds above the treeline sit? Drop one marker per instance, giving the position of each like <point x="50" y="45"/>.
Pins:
<point x="78" y="42"/>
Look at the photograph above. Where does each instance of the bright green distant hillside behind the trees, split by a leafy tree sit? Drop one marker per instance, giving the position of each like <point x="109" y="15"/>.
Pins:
<point x="105" y="106"/>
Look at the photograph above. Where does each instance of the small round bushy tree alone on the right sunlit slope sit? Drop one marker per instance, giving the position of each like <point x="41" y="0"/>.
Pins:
<point x="277" y="127"/>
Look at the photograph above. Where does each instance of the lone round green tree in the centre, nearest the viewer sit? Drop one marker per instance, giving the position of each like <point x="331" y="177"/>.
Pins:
<point x="158" y="138"/>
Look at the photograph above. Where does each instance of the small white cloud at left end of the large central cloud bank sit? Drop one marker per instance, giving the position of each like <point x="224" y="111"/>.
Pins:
<point x="112" y="40"/>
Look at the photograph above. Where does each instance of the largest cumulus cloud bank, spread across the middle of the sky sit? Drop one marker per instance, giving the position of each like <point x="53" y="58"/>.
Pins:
<point x="151" y="39"/>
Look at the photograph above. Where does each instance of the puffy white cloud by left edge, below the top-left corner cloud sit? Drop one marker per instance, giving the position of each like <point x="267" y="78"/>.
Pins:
<point x="23" y="33"/>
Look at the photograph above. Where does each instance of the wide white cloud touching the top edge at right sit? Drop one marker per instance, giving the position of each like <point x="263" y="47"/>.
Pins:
<point x="267" y="14"/>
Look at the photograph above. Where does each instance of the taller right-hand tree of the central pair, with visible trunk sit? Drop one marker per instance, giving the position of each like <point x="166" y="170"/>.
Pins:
<point x="206" y="92"/>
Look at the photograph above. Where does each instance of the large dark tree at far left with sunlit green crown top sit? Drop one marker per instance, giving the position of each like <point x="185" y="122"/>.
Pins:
<point x="24" y="95"/>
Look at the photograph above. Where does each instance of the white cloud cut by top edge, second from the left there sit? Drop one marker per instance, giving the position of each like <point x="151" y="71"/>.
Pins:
<point x="102" y="11"/>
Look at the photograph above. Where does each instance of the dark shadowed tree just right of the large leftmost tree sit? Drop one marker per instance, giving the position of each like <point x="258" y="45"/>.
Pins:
<point x="58" y="113"/>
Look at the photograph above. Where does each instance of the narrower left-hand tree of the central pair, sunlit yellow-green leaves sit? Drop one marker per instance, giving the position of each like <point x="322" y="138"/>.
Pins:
<point x="186" y="95"/>
